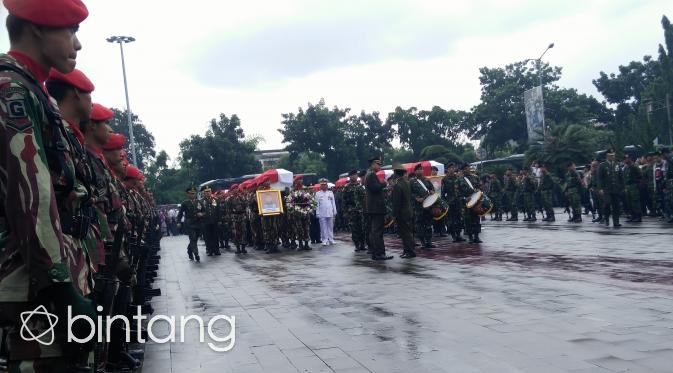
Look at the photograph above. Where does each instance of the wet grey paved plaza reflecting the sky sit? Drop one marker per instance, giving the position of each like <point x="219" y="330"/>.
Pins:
<point x="534" y="297"/>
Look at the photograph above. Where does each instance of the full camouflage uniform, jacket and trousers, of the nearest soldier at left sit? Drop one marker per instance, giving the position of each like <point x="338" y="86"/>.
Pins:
<point x="43" y="259"/>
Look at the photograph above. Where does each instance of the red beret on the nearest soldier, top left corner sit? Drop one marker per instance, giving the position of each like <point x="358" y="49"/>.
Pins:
<point x="50" y="13"/>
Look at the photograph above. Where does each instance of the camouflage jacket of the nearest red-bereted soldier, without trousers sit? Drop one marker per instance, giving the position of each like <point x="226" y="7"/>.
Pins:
<point x="36" y="165"/>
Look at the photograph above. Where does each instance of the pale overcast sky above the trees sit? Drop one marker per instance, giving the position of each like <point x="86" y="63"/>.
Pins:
<point x="258" y="59"/>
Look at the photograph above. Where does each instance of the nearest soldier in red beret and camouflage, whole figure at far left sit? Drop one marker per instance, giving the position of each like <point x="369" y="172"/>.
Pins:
<point x="40" y="261"/>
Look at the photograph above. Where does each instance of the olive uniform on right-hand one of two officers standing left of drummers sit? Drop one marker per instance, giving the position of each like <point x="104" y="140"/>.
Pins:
<point x="403" y="213"/>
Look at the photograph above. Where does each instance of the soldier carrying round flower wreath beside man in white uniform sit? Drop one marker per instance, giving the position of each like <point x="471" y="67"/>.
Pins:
<point x="300" y="206"/>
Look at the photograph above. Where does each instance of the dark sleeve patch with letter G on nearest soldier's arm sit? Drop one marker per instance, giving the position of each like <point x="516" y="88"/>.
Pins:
<point x="14" y="101"/>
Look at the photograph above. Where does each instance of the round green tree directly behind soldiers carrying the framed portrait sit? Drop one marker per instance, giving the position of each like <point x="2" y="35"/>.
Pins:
<point x="223" y="152"/>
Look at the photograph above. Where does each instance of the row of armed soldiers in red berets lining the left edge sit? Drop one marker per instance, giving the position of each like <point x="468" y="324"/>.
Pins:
<point x="78" y="229"/>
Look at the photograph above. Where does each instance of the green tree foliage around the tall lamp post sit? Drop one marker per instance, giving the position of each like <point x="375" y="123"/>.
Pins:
<point x="143" y="138"/>
